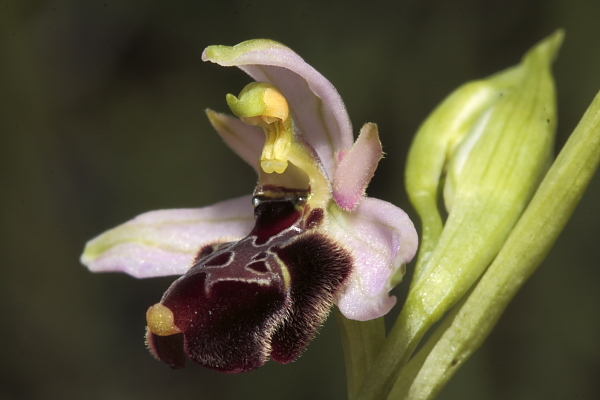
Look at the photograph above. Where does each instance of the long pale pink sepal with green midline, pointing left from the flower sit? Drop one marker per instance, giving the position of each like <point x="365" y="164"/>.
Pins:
<point x="164" y="242"/>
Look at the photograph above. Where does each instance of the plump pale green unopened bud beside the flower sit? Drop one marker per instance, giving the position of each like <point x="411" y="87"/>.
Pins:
<point x="493" y="140"/>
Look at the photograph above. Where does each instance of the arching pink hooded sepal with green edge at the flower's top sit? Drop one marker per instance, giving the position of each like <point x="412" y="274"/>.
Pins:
<point x="317" y="108"/>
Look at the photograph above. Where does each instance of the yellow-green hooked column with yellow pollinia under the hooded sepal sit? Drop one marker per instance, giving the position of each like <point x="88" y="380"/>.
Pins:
<point x="261" y="104"/>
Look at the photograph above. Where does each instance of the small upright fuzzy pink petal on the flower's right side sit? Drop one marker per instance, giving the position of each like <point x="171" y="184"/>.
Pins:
<point x="356" y="167"/>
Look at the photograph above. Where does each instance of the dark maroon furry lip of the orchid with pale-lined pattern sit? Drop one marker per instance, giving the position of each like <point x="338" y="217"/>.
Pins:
<point x="265" y="295"/>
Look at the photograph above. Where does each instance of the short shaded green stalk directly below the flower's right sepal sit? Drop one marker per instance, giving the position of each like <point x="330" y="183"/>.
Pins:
<point x="361" y="343"/>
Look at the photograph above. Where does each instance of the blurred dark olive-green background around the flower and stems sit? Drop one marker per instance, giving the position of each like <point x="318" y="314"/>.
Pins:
<point x="101" y="119"/>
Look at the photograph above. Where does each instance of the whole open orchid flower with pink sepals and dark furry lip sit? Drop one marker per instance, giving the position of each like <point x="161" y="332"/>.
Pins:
<point x="260" y="273"/>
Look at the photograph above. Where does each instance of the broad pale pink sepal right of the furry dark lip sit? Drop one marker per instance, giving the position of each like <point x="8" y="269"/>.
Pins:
<point x="382" y="239"/>
